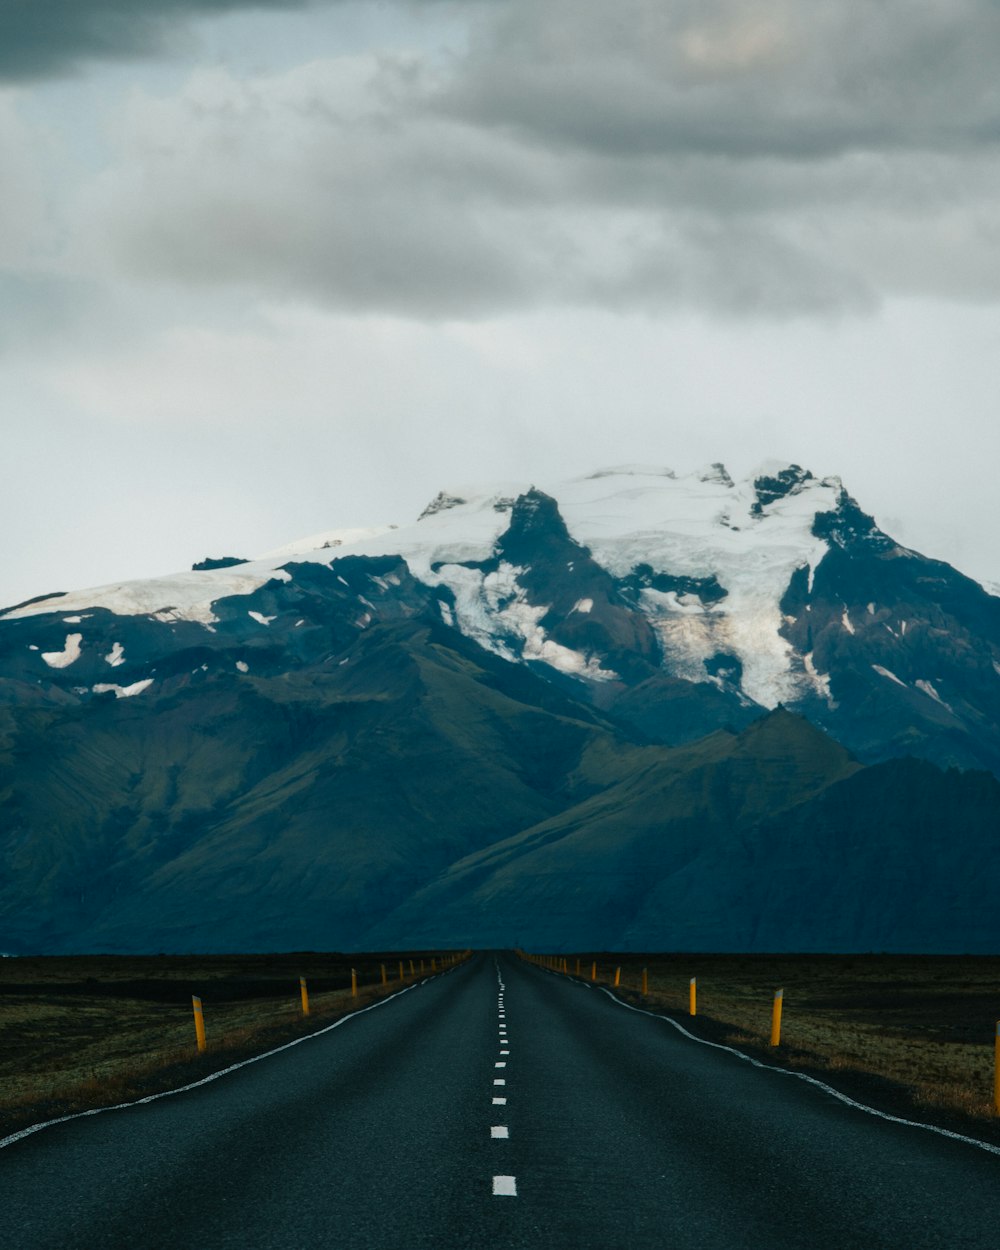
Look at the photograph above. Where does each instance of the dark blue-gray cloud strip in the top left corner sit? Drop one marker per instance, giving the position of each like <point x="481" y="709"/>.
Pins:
<point x="51" y="38"/>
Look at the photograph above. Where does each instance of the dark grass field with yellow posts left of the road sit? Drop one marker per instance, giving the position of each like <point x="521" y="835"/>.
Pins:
<point x="92" y="1031"/>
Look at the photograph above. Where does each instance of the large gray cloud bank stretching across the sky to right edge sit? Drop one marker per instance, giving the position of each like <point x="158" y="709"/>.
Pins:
<point x="754" y="158"/>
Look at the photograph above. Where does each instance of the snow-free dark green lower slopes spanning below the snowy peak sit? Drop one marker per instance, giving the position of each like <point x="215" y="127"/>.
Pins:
<point x="412" y="789"/>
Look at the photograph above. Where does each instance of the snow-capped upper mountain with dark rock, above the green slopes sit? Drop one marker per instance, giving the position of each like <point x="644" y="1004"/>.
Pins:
<point x="774" y="589"/>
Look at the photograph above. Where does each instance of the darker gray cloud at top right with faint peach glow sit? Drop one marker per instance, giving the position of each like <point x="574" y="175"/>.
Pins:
<point x="741" y="79"/>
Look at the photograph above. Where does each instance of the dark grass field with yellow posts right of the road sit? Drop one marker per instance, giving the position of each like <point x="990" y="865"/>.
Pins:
<point x="912" y="1034"/>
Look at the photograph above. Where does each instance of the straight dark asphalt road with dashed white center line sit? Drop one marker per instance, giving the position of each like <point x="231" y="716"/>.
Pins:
<point x="401" y="1129"/>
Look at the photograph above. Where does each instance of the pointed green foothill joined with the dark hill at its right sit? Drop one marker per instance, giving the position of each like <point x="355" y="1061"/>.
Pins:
<point x="768" y="841"/>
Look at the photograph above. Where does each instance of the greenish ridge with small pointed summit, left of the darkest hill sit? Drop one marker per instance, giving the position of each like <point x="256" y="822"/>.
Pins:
<point x="578" y="879"/>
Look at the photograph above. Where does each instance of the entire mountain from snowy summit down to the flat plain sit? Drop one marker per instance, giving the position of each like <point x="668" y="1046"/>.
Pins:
<point x="634" y="709"/>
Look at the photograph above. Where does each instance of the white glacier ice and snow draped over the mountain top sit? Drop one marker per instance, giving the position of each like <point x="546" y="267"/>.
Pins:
<point x="749" y="538"/>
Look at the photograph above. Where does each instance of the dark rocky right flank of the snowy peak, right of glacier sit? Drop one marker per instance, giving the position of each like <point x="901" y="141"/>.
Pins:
<point x="912" y="648"/>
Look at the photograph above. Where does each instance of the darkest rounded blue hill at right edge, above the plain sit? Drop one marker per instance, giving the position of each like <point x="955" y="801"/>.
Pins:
<point x="898" y="858"/>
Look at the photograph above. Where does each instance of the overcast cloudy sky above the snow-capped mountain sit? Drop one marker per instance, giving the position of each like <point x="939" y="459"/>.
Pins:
<point x="274" y="268"/>
